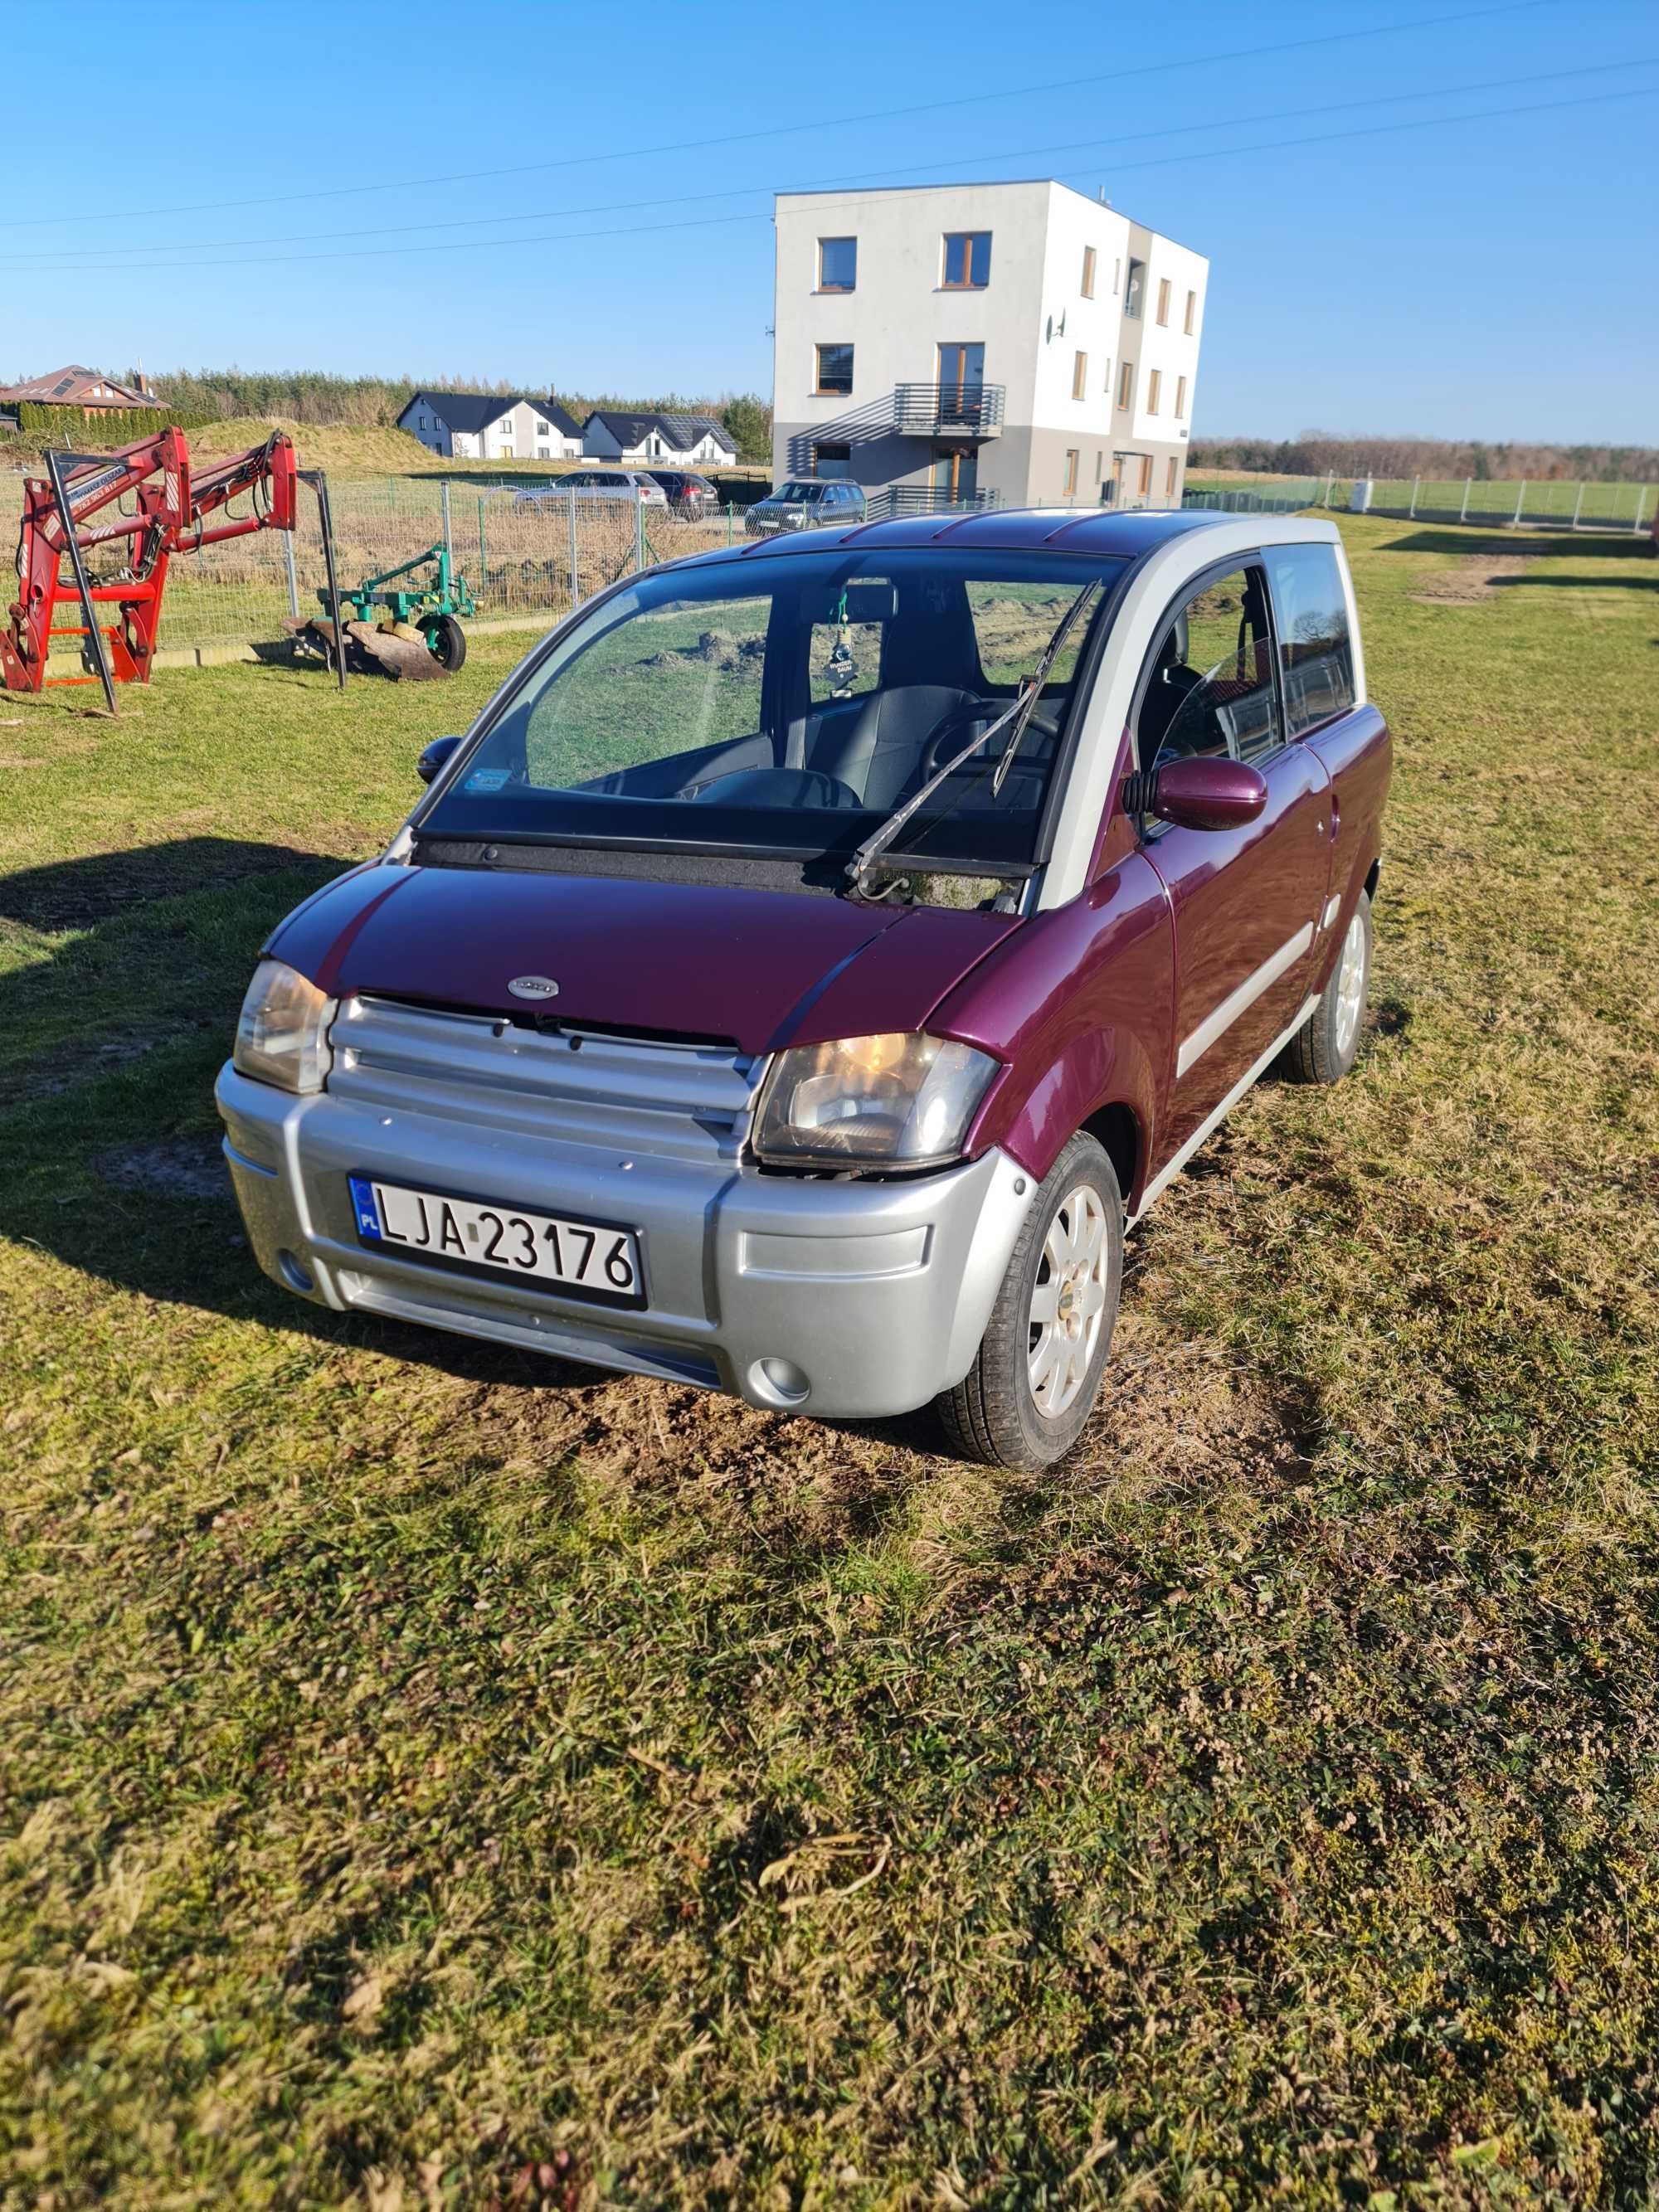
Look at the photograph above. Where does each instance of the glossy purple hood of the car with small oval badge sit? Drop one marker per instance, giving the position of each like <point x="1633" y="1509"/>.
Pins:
<point x="676" y="959"/>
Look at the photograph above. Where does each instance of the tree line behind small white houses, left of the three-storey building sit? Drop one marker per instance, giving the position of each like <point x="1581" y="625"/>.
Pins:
<point x="377" y="401"/>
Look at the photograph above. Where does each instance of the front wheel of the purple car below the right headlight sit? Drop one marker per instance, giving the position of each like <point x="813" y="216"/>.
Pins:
<point x="1045" y="1308"/>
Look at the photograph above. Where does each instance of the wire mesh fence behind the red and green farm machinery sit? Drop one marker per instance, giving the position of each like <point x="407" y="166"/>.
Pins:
<point x="523" y="559"/>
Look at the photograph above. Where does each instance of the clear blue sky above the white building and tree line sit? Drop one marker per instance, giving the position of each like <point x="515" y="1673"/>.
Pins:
<point x="1474" y="278"/>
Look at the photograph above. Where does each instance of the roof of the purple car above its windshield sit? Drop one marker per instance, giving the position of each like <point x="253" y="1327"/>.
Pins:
<point x="1027" y="530"/>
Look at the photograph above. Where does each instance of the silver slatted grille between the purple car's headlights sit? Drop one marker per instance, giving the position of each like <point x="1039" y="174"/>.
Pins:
<point x="583" y="1087"/>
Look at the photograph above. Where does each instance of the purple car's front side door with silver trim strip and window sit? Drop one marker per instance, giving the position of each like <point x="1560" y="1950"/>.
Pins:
<point x="1246" y="904"/>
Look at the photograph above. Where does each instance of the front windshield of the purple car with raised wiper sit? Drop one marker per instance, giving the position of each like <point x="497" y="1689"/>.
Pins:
<point x="786" y="707"/>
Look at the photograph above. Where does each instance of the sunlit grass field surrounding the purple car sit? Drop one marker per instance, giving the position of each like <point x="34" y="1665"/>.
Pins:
<point x="441" y="1780"/>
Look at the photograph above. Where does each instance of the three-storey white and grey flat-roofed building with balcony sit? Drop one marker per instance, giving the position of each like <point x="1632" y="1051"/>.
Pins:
<point x="999" y="342"/>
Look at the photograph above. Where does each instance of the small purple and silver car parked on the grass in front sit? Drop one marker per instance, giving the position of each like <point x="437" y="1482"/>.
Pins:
<point x="822" y="952"/>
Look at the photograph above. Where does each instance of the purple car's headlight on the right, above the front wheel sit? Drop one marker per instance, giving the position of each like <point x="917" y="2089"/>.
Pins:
<point x="899" y="1100"/>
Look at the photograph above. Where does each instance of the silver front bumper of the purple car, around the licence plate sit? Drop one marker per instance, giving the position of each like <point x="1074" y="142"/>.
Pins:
<point x="828" y="1297"/>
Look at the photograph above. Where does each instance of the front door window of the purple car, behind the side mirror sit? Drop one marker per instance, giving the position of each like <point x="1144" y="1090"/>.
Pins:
<point x="1213" y="680"/>
